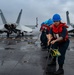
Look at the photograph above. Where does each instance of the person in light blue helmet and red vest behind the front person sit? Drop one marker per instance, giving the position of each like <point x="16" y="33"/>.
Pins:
<point x="45" y="27"/>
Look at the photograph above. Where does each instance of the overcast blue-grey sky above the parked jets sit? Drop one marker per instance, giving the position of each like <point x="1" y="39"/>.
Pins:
<point x="43" y="9"/>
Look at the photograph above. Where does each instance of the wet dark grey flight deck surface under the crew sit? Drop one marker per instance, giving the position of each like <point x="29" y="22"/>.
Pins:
<point x="25" y="57"/>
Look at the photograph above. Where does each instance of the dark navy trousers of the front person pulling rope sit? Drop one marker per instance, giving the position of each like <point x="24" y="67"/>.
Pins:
<point x="62" y="47"/>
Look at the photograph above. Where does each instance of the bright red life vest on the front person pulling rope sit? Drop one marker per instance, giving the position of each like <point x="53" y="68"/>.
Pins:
<point x="58" y="30"/>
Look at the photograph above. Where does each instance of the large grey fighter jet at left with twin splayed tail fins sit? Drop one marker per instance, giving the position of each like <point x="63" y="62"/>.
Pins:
<point x="10" y="28"/>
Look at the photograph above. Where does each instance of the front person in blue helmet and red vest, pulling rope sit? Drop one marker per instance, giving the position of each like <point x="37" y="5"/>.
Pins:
<point x="59" y="41"/>
